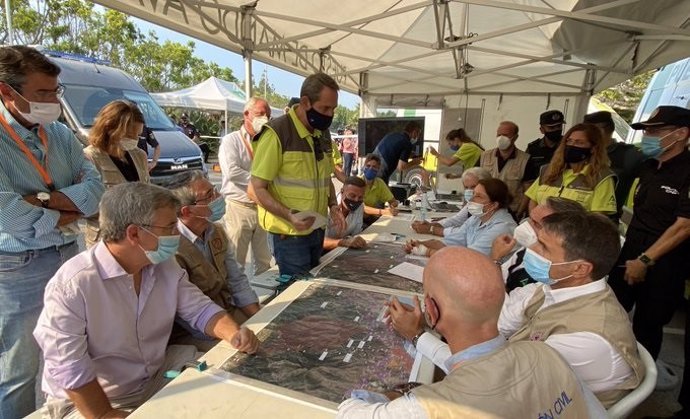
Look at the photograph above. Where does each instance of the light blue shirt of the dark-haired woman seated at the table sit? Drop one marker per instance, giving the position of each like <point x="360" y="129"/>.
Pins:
<point x="479" y="236"/>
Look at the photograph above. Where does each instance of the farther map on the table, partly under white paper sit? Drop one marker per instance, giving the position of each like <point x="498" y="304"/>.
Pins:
<point x="370" y="266"/>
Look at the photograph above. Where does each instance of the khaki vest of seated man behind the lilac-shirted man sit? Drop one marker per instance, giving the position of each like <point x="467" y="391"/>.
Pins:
<point x="209" y="276"/>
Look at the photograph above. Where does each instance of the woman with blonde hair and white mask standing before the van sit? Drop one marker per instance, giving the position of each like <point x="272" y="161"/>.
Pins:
<point x="113" y="150"/>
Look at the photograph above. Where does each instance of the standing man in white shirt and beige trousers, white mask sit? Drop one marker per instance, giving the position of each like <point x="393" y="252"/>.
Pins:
<point x="235" y="156"/>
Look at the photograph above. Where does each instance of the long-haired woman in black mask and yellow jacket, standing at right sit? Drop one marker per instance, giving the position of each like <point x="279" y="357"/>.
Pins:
<point x="579" y="171"/>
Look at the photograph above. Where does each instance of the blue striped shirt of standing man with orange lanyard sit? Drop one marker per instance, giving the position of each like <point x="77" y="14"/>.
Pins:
<point x="27" y="227"/>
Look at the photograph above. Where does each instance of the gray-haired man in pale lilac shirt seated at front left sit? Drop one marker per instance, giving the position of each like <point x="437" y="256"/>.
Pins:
<point x="109" y="310"/>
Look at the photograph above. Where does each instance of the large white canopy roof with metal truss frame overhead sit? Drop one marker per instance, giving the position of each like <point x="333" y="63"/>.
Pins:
<point x="430" y="49"/>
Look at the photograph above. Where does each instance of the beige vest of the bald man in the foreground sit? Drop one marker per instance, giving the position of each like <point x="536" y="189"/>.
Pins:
<point x="520" y="380"/>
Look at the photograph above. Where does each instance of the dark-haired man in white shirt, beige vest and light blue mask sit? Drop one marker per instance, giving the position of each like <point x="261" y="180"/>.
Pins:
<point x="570" y="308"/>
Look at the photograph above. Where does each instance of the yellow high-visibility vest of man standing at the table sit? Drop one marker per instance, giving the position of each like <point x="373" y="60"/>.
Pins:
<point x="303" y="183"/>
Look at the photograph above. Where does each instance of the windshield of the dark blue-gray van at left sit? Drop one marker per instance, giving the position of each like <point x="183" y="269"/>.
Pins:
<point x="87" y="101"/>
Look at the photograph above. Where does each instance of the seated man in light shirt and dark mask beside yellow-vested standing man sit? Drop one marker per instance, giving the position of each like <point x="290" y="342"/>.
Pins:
<point x="351" y="200"/>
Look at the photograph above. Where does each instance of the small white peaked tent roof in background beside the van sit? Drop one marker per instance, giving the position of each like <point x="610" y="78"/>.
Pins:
<point x="213" y="94"/>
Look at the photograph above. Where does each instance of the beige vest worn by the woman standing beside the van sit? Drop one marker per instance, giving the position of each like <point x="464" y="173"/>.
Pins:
<point x="111" y="176"/>
